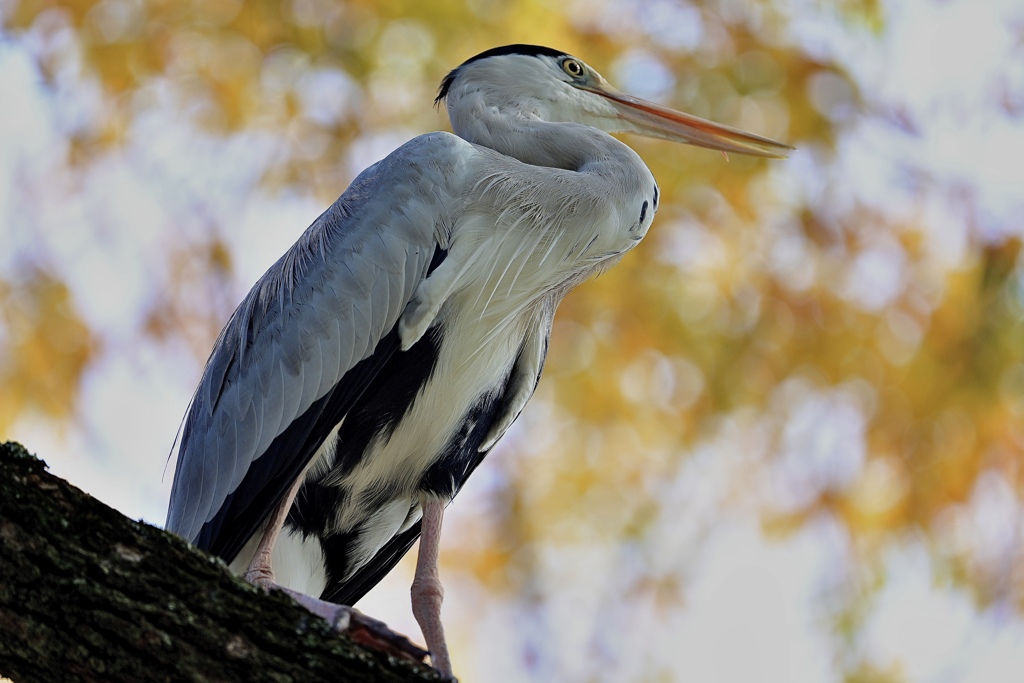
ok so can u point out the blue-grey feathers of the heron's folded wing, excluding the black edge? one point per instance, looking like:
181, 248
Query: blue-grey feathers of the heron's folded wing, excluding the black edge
319, 311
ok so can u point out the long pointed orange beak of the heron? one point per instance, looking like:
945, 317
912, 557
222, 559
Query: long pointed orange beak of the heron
647, 118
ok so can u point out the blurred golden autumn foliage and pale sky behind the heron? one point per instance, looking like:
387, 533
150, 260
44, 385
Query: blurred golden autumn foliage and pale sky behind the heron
830, 346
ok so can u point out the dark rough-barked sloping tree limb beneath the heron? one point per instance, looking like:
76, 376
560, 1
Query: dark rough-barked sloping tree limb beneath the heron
88, 594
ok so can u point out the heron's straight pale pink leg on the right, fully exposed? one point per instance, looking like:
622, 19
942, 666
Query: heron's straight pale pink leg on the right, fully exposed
428, 590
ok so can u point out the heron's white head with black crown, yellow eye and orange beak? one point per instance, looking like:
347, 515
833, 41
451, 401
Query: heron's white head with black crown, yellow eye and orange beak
541, 82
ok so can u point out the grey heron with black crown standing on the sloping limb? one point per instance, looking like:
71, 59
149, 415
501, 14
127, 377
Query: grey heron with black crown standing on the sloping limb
373, 367
